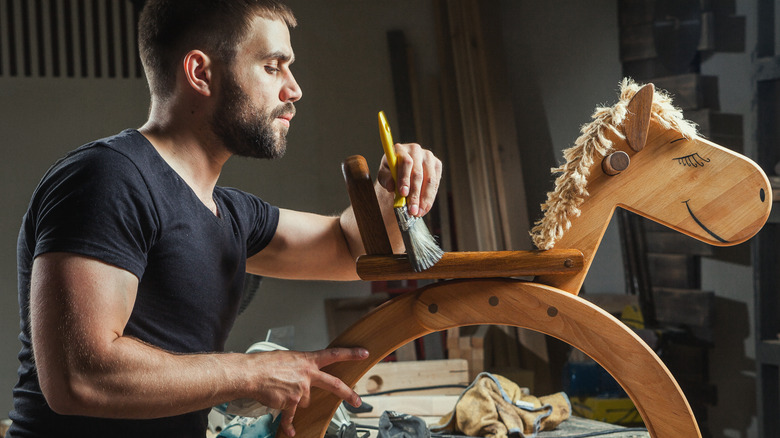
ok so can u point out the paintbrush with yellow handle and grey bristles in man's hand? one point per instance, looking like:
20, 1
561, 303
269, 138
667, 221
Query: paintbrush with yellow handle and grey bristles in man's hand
421, 247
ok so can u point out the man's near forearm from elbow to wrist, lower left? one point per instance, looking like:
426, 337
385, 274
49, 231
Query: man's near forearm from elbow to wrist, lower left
130, 379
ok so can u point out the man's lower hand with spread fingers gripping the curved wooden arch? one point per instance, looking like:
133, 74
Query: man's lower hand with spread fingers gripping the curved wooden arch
291, 374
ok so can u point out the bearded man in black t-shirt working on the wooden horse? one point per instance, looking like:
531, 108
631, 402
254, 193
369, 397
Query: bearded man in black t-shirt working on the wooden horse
131, 259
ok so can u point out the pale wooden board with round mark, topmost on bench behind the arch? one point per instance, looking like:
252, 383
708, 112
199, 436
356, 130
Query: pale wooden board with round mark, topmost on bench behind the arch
392, 376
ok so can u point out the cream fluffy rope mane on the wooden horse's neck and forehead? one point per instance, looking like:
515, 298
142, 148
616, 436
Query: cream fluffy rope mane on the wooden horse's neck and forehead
570, 191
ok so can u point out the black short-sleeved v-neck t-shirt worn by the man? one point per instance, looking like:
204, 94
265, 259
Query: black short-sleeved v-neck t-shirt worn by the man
117, 200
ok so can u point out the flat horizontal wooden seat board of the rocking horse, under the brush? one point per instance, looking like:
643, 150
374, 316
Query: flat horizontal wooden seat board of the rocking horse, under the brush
475, 264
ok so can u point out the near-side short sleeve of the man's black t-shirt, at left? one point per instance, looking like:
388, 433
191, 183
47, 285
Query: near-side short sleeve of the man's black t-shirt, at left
95, 202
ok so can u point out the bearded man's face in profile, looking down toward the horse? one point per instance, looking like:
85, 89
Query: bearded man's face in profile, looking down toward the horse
255, 101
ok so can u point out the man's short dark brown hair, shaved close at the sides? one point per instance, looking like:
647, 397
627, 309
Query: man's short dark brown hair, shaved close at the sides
168, 29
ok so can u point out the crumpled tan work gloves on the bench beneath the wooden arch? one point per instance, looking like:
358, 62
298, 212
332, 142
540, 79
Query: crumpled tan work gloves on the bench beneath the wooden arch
495, 407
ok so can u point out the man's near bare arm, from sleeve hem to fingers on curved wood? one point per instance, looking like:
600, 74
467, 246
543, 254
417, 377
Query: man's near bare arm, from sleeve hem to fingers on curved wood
87, 366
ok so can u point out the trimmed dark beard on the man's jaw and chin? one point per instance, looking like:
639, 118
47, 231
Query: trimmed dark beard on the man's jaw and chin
245, 129
